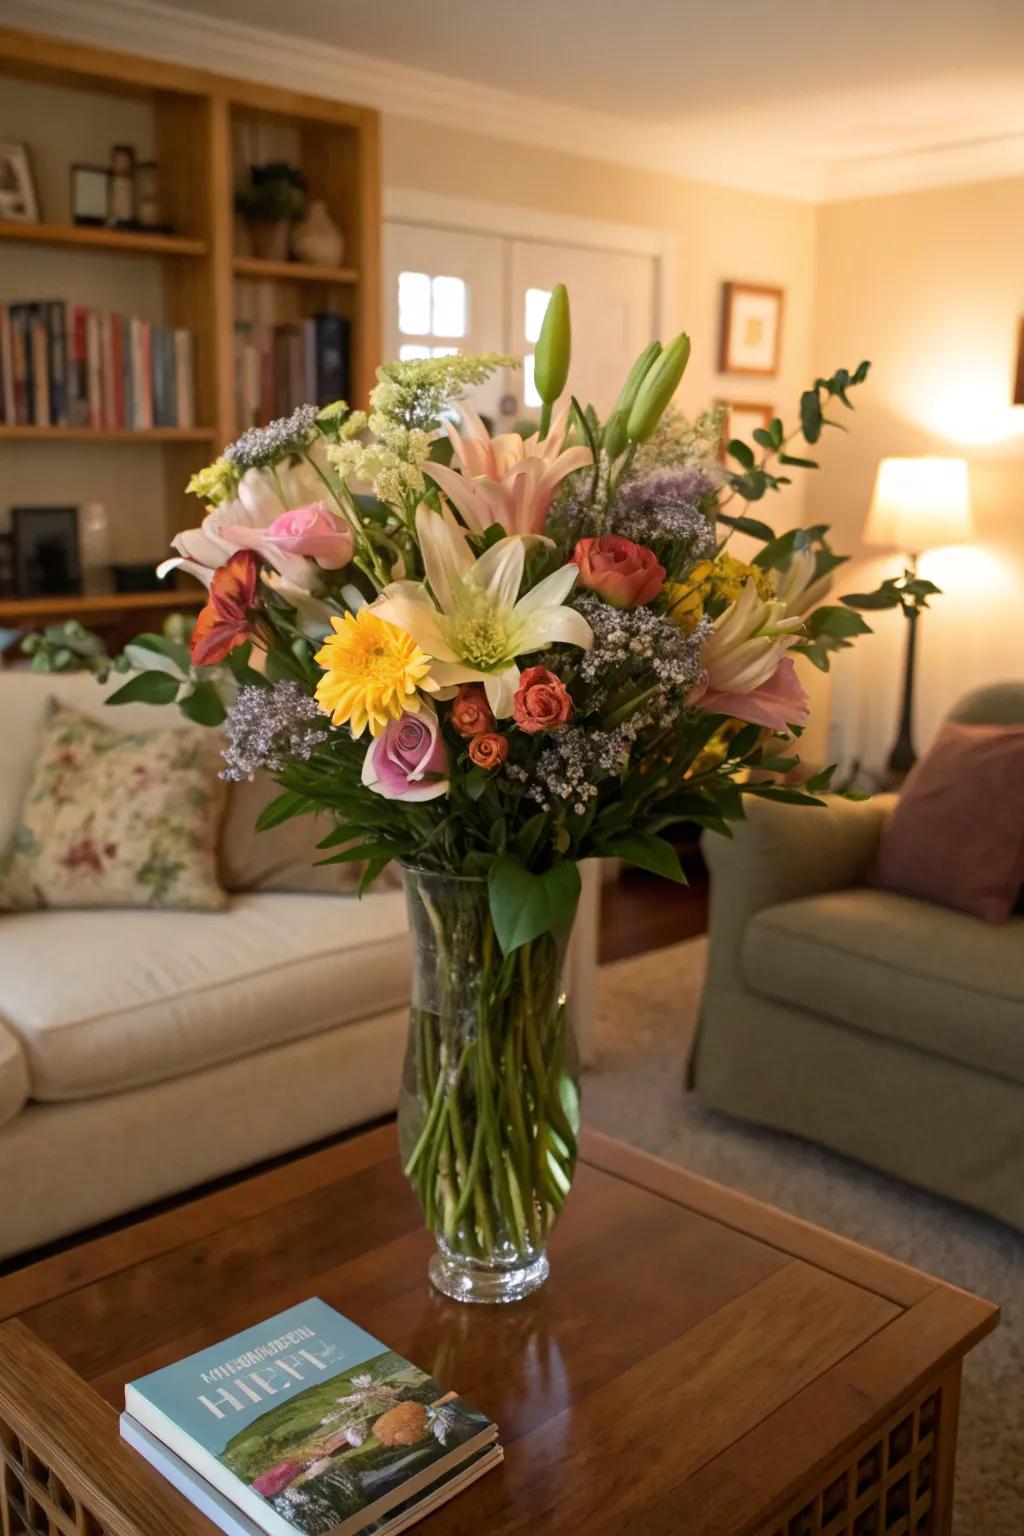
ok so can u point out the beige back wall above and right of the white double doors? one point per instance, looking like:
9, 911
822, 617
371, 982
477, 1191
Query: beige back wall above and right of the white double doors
719, 234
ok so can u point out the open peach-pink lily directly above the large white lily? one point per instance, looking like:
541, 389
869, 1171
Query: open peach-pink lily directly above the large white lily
506, 480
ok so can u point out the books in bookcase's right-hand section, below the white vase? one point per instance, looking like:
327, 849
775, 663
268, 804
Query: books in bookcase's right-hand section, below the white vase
282, 366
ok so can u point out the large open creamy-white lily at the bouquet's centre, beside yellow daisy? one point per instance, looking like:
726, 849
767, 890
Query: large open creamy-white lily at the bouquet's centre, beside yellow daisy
474, 626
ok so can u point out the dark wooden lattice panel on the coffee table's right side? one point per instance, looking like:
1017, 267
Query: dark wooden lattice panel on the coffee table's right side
896, 1483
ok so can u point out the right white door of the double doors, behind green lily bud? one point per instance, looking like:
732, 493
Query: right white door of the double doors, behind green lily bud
612, 300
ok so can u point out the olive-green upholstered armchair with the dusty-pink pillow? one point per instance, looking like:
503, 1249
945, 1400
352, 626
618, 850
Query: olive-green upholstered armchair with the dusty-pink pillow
884, 1027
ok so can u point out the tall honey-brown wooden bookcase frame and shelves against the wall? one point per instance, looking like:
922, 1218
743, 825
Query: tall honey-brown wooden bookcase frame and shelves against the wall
203, 279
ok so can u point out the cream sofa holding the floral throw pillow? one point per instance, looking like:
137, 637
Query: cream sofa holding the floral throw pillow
144, 1053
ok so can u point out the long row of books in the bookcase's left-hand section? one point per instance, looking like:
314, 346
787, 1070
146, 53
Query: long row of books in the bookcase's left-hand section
70, 366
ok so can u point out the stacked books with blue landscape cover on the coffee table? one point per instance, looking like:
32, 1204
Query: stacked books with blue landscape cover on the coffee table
308, 1426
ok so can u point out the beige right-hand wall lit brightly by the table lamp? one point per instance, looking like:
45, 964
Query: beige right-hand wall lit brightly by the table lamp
930, 286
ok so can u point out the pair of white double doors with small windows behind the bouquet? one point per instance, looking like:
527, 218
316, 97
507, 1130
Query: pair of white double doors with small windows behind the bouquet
449, 291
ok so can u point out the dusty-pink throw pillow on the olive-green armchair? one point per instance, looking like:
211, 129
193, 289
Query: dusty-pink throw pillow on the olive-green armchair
957, 835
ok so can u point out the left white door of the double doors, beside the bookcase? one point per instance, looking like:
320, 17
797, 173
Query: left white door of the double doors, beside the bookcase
444, 291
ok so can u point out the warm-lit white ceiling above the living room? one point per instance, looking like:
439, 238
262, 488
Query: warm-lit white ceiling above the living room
807, 98
